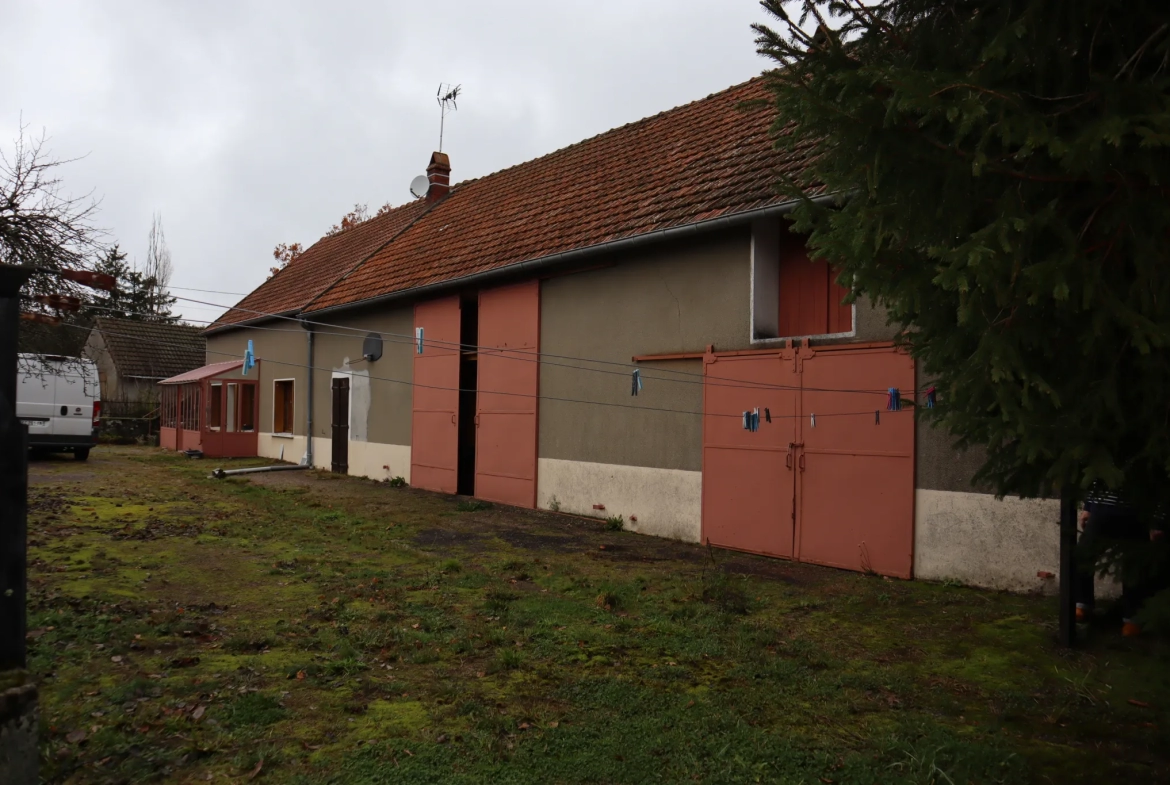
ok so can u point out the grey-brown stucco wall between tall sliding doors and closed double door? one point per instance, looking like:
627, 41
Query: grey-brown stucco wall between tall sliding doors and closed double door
677, 298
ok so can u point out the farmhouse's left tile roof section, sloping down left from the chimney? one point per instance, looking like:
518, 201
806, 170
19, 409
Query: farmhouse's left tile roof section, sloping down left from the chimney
321, 265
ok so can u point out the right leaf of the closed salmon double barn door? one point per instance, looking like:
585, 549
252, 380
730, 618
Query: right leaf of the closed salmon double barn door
856, 486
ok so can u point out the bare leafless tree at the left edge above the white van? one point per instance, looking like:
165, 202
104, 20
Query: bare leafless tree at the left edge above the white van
44, 228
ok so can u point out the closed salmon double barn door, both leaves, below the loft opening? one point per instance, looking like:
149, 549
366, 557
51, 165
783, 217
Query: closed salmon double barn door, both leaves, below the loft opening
831, 479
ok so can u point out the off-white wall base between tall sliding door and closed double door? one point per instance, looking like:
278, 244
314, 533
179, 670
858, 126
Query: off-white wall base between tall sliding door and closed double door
666, 502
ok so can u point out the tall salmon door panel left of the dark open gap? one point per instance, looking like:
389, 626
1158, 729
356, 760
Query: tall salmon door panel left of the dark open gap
435, 424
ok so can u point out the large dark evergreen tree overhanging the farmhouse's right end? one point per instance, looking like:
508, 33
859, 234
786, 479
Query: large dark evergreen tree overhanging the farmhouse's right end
1003, 169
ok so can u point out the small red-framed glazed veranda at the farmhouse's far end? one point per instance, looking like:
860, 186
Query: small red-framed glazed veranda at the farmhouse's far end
214, 410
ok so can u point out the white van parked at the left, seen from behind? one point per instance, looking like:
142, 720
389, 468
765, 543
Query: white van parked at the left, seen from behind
59, 400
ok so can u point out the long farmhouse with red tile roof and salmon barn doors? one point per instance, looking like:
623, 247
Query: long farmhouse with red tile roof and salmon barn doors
628, 328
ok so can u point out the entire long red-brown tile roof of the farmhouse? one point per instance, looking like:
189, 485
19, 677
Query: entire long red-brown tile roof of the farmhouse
704, 161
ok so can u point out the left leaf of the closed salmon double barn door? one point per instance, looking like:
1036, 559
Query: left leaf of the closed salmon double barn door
748, 477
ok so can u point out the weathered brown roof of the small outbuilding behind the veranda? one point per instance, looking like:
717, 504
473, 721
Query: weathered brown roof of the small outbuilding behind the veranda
152, 350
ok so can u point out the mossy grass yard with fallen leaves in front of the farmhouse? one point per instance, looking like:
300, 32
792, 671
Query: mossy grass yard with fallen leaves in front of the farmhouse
299, 628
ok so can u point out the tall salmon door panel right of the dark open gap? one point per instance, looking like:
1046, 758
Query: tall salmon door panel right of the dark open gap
510, 338
